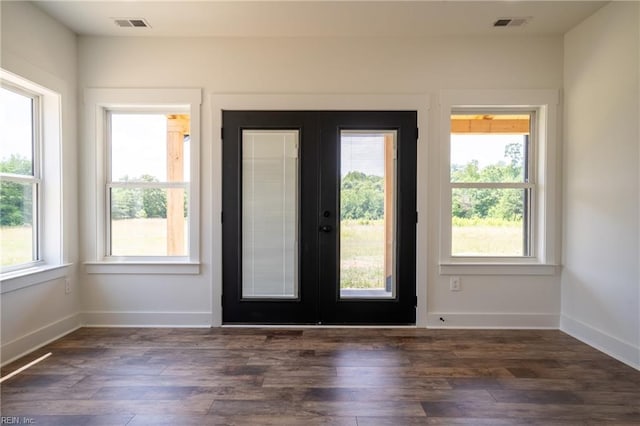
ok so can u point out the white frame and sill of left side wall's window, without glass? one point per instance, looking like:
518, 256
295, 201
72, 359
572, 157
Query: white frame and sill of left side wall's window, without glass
49, 263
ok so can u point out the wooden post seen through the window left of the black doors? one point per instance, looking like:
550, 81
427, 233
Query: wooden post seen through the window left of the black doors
177, 128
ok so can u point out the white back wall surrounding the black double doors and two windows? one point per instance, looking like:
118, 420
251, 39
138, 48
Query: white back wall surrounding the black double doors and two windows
316, 65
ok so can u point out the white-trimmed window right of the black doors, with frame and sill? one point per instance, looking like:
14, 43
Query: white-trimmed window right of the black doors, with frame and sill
499, 196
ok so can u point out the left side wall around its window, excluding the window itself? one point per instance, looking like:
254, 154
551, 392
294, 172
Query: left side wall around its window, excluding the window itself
39, 49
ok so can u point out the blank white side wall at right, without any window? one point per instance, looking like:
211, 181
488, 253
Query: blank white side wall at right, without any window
600, 280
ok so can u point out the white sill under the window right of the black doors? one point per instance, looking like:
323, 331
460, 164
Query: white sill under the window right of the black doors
497, 269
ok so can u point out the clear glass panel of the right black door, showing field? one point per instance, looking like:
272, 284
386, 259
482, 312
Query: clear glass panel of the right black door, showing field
367, 200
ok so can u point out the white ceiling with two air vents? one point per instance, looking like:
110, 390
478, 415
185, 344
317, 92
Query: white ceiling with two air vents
267, 18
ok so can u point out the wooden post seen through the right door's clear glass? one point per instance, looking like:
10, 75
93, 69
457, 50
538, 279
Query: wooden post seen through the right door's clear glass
388, 208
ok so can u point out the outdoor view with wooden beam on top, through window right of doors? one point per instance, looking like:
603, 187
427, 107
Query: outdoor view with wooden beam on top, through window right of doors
491, 185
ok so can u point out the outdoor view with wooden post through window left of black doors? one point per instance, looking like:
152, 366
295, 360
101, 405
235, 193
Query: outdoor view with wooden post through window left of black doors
148, 184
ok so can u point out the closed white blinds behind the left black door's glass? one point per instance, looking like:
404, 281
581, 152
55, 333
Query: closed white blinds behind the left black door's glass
270, 213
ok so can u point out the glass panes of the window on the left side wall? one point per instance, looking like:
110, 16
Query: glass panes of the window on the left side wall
20, 182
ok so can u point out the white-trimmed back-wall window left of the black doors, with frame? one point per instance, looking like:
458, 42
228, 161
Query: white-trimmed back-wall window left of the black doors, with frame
147, 179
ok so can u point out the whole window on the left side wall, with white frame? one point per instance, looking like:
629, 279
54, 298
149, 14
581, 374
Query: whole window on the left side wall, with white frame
32, 247
